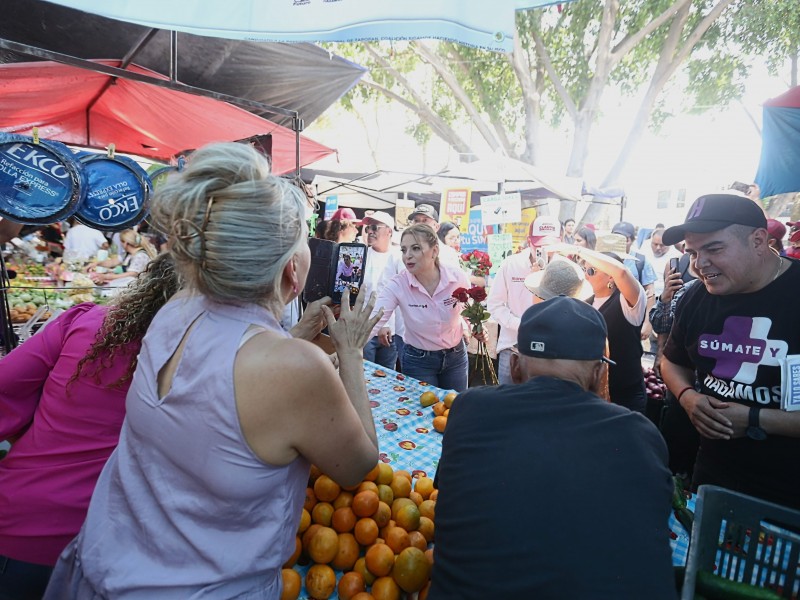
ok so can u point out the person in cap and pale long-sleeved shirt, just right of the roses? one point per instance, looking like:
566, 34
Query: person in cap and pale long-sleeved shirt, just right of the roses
508, 296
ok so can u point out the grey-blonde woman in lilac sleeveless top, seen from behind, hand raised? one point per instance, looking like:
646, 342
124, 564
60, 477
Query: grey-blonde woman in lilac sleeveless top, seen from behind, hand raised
226, 412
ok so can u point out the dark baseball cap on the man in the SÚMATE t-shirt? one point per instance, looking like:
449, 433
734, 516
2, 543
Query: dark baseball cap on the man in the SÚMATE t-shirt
713, 212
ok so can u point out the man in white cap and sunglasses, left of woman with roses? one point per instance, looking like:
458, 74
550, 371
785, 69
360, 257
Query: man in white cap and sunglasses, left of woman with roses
383, 262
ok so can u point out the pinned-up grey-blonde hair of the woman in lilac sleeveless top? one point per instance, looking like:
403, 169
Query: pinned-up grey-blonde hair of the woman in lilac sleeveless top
232, 225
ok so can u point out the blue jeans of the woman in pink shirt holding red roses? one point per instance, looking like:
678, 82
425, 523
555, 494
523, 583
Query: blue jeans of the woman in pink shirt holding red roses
446, 369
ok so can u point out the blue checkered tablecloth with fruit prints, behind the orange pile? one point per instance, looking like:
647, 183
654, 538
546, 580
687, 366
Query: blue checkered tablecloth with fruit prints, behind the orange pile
406, 437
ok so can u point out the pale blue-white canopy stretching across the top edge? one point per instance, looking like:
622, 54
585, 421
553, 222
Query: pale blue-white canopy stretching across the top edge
481, 23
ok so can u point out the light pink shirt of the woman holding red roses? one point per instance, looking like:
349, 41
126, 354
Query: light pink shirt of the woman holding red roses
432, 322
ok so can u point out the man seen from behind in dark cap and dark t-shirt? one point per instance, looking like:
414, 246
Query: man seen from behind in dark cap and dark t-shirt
531, 470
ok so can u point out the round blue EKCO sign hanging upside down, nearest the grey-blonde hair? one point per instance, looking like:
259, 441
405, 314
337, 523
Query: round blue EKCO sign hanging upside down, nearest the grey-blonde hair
118, 195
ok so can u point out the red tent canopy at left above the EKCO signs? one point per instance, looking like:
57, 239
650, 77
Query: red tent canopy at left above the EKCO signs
138, 118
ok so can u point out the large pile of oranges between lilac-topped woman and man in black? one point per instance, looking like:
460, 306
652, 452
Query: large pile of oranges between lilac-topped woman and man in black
378, 533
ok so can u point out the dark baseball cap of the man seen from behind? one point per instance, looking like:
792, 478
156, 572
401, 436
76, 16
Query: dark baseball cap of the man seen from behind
564, 328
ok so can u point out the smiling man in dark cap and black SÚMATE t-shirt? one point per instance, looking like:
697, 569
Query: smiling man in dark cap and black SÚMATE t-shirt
729, 338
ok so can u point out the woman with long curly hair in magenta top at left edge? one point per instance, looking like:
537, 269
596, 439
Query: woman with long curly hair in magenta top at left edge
62, 399
